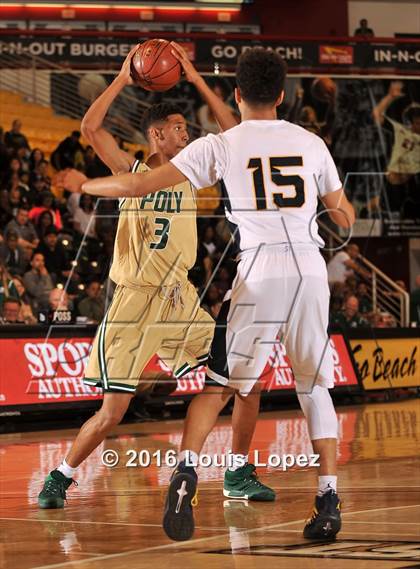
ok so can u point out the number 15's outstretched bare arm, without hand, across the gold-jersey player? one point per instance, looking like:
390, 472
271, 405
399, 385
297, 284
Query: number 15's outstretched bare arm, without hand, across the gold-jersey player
135, 185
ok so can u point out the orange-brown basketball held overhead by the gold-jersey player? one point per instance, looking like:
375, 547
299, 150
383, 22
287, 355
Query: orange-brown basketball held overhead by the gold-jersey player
154, 67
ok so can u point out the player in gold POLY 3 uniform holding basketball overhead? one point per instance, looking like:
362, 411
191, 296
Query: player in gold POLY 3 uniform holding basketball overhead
154, 309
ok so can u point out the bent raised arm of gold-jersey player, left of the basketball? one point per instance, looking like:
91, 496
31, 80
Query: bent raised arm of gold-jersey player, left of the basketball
92, 128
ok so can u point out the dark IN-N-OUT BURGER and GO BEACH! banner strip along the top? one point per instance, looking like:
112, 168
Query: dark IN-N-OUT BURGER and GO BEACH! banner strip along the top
108, 52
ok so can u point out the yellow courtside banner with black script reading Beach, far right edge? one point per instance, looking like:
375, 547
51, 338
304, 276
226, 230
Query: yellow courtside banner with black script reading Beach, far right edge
388, 361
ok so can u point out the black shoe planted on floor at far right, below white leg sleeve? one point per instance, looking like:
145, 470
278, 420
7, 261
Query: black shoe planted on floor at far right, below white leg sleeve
325, 522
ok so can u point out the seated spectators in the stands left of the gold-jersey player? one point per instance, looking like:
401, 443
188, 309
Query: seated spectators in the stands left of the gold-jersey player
52, 247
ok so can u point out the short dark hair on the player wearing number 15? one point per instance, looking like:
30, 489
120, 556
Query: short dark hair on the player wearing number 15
260, 76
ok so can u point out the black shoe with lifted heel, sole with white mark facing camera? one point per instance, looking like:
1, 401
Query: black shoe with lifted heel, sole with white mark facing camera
178, 519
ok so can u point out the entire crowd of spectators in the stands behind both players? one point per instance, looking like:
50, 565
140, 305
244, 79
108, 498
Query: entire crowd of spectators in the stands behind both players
55, 243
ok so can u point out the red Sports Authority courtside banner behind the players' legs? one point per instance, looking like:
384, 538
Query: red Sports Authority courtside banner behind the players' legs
37, 371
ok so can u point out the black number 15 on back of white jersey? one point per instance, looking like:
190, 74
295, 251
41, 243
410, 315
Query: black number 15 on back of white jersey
280, 180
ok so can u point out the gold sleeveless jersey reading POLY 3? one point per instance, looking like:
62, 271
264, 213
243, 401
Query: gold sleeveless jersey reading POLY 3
156, 240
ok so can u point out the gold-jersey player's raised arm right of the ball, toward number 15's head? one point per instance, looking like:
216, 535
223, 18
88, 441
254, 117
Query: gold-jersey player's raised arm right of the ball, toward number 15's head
222, 112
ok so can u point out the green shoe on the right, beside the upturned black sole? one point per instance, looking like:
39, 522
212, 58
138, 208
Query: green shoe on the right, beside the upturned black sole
243, 484
